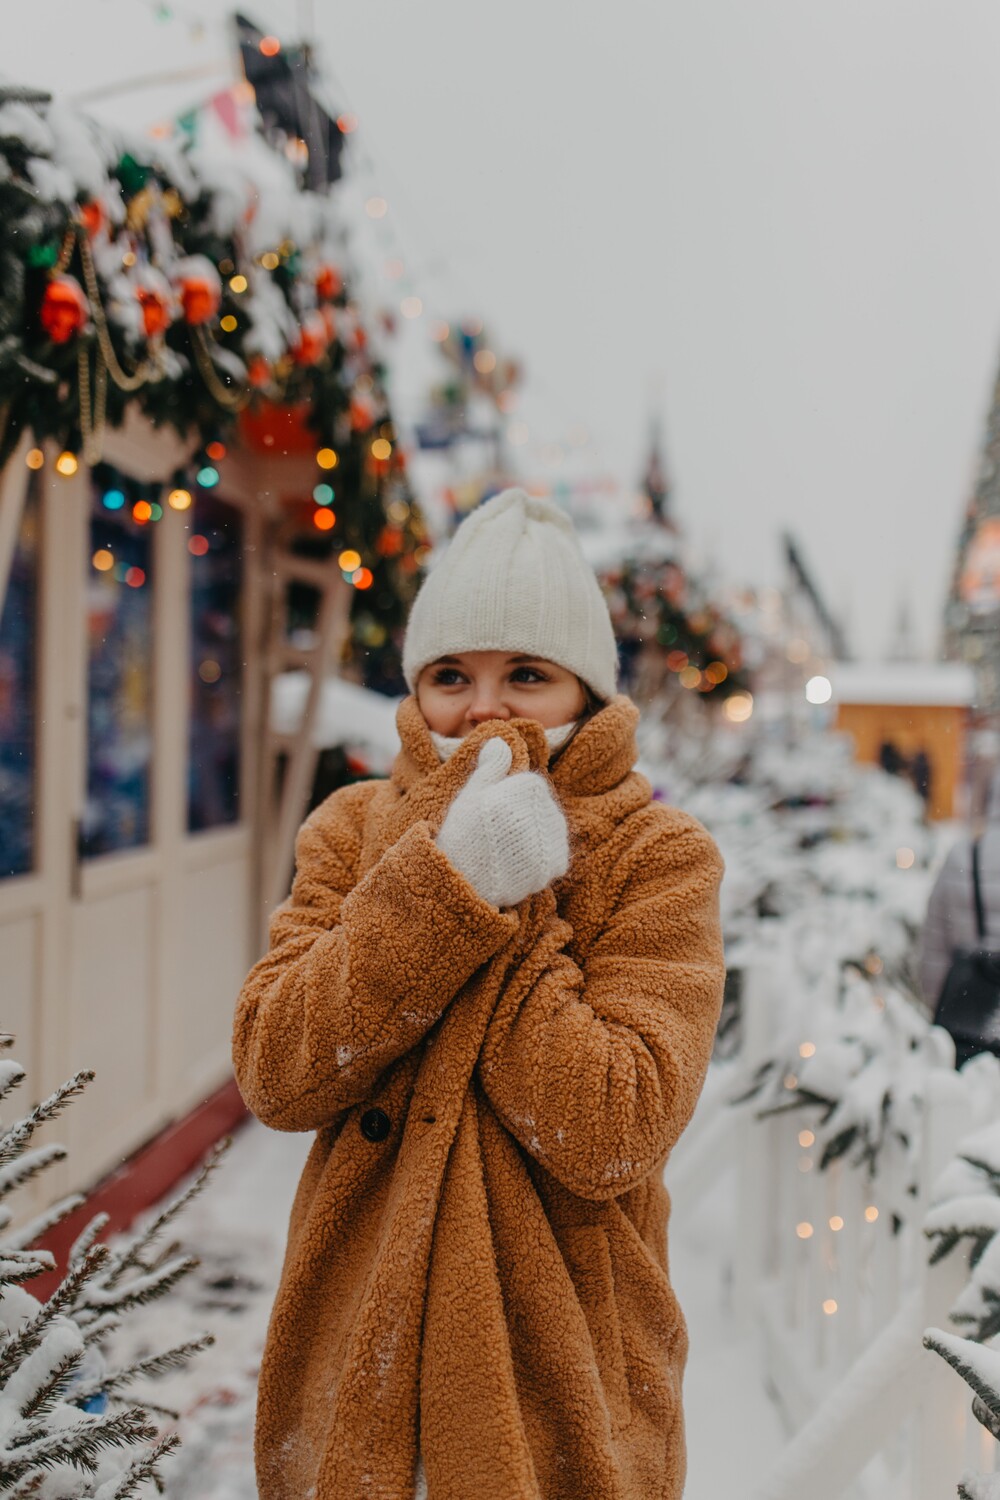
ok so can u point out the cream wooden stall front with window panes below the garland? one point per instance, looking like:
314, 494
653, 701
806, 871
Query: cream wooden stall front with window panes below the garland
125, 943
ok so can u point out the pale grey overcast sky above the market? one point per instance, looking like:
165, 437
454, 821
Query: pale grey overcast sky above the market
777, 223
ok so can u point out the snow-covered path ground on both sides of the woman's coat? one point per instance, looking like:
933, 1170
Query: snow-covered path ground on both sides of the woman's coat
238, 1228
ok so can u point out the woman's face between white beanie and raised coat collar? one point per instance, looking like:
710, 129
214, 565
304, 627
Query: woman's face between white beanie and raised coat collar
460, 692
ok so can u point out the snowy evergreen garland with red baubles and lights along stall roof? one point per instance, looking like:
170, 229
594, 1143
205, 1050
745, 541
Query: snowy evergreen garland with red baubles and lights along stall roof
142, 280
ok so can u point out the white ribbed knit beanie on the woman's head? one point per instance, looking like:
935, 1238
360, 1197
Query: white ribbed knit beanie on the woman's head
515, 580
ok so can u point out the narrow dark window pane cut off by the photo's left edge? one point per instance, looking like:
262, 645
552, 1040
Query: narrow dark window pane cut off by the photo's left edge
19, 686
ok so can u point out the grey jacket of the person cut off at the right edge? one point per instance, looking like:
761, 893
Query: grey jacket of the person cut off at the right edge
951, 911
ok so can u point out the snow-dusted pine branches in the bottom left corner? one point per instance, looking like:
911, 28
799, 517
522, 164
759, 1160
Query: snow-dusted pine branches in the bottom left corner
68, 1430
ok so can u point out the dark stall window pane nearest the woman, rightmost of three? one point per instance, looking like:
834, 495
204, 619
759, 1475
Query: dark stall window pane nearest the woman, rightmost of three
217, 664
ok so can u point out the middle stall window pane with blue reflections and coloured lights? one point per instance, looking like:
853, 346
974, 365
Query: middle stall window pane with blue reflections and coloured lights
119, 668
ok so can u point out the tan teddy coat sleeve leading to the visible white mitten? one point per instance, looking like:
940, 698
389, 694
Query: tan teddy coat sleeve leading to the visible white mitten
356, 973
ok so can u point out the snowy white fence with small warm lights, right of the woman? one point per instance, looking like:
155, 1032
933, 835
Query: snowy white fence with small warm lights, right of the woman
839, 1295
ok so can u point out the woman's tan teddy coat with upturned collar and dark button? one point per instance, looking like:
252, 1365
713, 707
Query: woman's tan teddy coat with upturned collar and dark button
488, 1283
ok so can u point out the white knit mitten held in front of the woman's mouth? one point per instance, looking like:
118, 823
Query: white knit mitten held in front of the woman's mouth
504, 833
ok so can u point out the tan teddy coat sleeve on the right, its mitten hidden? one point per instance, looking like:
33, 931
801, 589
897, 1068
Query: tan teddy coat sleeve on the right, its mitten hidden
597, 1070
